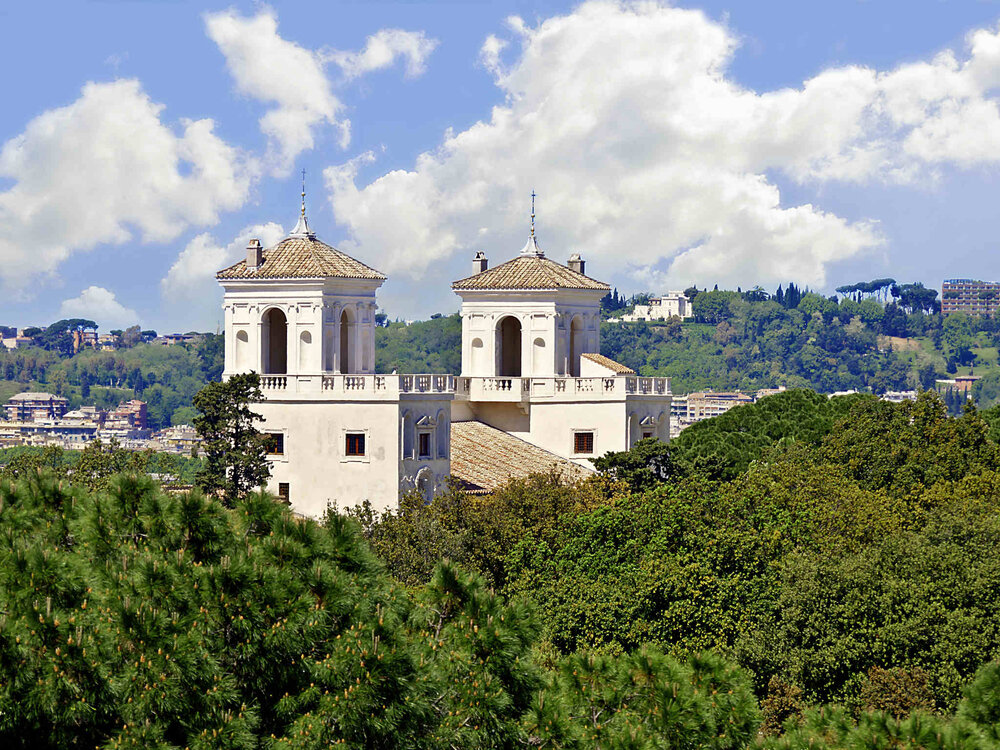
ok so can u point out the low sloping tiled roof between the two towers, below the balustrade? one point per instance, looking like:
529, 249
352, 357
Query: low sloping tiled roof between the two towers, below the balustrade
484, 458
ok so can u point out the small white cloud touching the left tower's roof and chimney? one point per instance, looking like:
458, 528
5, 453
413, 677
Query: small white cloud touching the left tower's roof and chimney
192, 276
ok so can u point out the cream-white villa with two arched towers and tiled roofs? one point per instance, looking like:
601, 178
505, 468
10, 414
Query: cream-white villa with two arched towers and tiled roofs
534, 392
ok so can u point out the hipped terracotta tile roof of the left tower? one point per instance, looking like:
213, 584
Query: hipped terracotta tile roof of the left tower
303, 258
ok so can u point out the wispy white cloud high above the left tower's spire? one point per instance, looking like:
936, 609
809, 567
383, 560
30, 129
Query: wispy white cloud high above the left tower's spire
272, 69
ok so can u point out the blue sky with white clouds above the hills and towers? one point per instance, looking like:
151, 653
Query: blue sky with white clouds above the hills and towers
142, 143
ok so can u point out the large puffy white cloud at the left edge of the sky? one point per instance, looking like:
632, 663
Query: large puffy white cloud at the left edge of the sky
106, 169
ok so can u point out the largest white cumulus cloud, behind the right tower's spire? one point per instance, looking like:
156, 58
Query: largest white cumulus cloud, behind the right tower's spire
647, 153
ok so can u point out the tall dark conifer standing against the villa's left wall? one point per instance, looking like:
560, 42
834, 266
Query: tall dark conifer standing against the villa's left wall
235, 451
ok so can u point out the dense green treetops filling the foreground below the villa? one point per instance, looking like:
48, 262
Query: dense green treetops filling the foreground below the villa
831, 582
